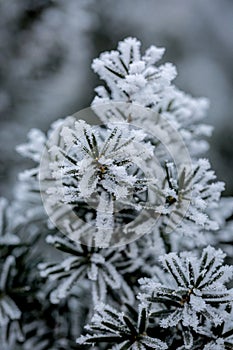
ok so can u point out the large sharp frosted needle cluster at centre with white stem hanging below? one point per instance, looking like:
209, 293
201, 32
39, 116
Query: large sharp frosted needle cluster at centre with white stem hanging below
102, 169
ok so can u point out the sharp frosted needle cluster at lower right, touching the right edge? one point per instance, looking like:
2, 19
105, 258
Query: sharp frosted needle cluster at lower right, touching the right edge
194, 288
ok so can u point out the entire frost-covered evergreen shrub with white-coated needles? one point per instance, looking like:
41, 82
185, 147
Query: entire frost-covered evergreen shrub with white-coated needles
118, 238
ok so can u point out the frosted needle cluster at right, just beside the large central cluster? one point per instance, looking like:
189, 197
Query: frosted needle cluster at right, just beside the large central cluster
188, 196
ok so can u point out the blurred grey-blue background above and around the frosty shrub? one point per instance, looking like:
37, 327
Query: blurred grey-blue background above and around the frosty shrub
47, 46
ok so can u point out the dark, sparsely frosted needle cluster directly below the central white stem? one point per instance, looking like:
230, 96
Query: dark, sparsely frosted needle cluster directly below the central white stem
103, 268
